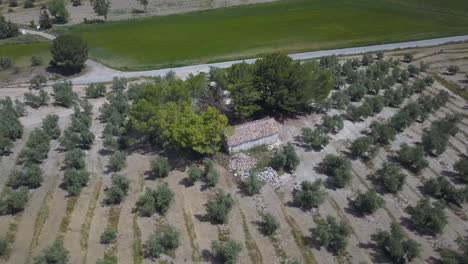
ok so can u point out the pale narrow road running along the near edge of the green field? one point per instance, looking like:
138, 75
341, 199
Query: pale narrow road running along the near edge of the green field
97, 72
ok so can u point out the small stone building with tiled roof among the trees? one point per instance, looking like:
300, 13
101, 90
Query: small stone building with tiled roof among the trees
251, 134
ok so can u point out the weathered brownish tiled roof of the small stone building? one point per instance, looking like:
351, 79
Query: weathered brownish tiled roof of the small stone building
252, 131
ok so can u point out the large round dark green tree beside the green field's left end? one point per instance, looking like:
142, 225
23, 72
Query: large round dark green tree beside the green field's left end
69, 52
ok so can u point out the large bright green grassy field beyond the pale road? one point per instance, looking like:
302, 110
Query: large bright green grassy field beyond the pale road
247, 31
